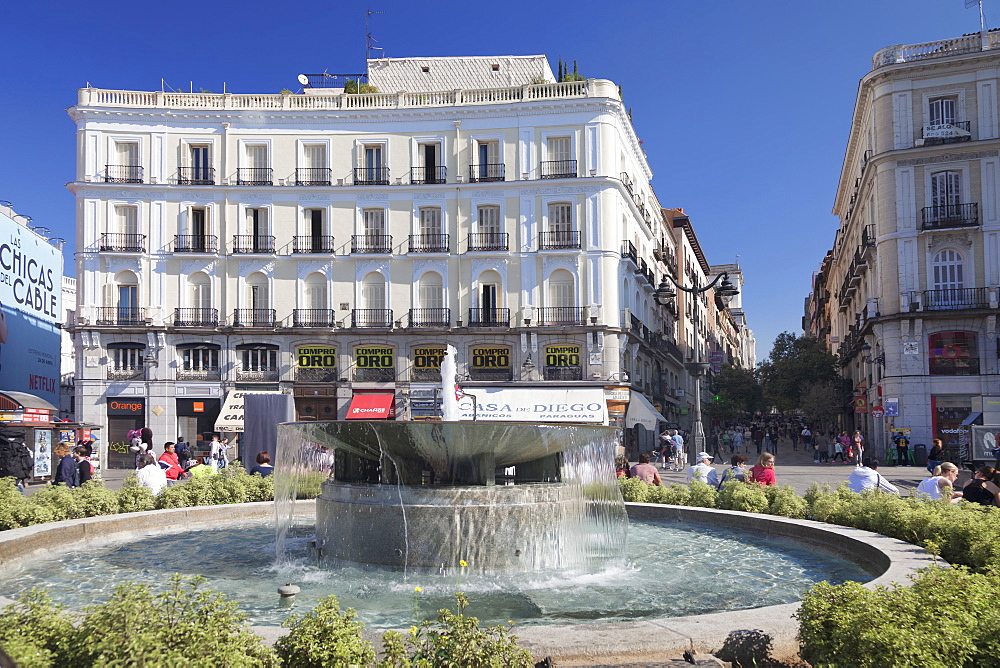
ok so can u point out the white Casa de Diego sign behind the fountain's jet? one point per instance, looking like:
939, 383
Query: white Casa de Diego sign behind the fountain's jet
533, 404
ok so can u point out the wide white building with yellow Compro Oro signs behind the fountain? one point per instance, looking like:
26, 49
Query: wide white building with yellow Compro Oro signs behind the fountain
330, 245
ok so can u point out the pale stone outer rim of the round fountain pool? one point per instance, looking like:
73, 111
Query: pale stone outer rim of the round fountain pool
894, 562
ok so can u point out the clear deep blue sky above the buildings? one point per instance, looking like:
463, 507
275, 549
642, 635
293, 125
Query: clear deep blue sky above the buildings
743, 107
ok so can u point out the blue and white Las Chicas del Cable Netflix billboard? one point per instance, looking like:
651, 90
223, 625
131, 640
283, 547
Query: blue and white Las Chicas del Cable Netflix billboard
30, 290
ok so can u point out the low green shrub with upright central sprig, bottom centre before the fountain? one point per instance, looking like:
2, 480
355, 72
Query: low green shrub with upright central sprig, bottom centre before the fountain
455, 640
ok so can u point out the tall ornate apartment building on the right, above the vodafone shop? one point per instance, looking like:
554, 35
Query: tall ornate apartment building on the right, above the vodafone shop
908, 294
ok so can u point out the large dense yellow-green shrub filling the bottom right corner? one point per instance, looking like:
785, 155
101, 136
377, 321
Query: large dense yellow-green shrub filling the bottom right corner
948, 617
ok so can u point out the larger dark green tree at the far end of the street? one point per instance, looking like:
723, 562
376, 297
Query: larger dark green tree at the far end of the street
801, 373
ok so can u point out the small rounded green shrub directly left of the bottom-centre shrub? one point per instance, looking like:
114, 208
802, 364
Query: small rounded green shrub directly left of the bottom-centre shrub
325, 637
